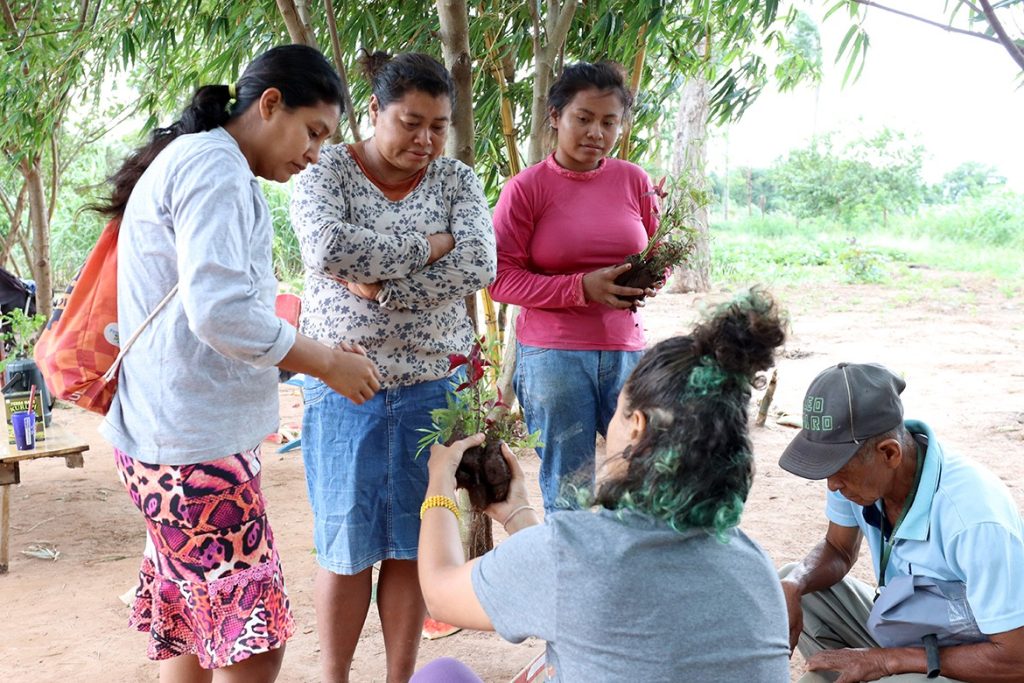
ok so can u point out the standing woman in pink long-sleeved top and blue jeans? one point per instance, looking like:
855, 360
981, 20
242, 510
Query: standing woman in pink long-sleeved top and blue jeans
564, 229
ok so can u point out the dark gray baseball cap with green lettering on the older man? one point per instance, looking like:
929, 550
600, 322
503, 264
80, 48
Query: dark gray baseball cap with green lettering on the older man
845, 406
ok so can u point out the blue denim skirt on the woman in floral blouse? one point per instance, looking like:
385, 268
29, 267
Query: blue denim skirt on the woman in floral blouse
365, 481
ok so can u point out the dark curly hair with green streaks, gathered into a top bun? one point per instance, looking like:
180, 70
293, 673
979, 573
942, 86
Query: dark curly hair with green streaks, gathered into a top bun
694, 465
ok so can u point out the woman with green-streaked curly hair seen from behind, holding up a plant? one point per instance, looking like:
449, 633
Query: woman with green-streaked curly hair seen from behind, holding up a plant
655, 582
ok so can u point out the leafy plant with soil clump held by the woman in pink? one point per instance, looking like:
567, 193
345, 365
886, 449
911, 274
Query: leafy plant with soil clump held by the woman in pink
672, 244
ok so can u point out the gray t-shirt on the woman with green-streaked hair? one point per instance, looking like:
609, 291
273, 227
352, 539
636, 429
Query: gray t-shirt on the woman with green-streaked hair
632, 601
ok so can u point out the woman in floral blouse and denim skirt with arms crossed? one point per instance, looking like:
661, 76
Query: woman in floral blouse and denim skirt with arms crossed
394, 237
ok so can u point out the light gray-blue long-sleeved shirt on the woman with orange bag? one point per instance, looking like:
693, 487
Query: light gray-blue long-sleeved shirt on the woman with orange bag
200, 383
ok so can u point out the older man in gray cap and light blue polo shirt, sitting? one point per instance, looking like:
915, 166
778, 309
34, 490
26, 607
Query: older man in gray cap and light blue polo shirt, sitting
946, 537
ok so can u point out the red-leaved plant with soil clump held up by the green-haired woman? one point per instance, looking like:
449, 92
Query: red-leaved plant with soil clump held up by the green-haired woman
477, 406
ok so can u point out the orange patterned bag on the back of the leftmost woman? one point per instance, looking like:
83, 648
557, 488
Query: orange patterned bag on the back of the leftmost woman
78, 353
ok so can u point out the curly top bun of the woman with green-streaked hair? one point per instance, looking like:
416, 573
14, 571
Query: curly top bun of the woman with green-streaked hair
743, 334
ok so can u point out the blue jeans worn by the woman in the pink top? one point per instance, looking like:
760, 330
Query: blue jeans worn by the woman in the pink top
571, 398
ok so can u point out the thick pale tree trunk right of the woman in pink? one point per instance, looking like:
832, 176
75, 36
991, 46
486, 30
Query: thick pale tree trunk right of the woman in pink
690, 158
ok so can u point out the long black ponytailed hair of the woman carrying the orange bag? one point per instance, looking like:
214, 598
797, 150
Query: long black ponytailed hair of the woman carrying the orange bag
303, 74
